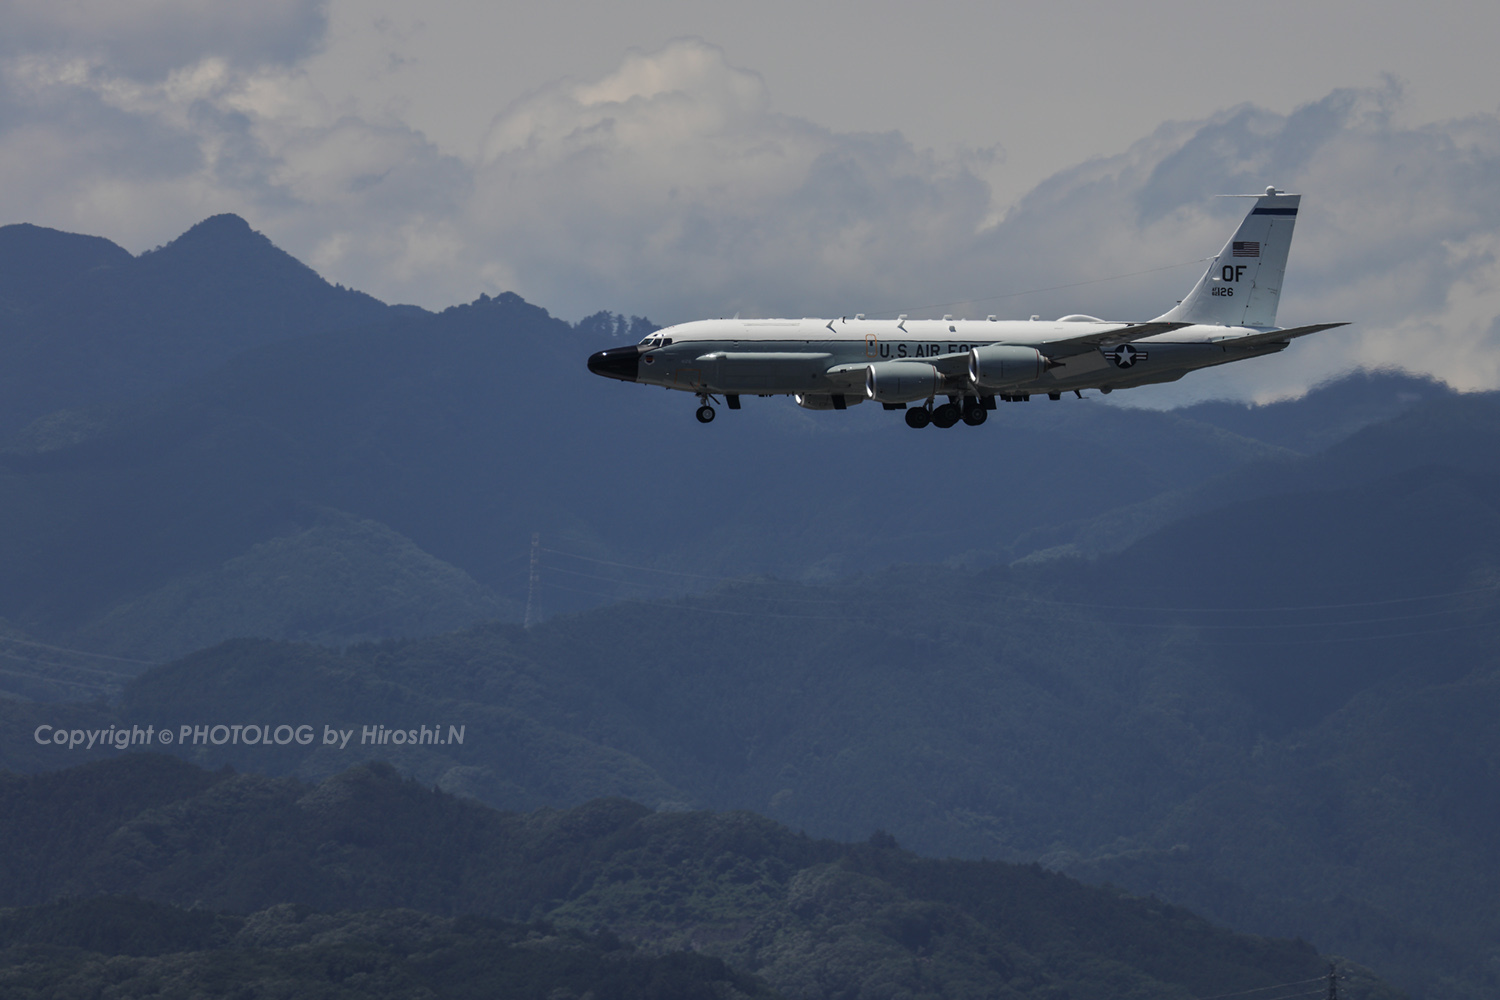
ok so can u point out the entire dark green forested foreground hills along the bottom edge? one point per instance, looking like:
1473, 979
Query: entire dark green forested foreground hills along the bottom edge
811, 918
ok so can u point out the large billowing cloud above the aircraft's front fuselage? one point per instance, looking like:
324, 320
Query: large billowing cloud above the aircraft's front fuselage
673, 181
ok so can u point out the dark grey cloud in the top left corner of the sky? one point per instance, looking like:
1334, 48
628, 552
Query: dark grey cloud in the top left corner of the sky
148, 40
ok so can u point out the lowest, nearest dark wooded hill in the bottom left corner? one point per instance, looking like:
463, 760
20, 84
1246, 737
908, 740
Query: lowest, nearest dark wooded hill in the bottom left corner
128, 948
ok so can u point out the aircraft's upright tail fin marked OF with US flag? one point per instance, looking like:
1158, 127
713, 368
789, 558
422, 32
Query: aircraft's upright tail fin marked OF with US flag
1243, 286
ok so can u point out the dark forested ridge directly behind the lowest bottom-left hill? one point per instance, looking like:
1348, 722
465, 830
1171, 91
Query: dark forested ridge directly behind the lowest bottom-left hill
808, 917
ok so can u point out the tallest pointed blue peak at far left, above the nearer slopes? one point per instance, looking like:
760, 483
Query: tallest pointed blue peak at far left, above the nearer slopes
86, 323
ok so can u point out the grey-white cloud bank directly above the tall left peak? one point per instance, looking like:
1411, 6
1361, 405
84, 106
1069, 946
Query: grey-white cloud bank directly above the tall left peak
143, 161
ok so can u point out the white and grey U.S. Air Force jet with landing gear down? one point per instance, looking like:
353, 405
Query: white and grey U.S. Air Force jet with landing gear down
835, 364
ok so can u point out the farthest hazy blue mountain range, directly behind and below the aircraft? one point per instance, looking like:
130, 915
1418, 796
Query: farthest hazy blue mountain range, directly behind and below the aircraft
388, 478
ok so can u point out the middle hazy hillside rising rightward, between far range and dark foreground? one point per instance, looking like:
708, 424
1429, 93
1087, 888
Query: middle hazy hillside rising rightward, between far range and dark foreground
1294, 744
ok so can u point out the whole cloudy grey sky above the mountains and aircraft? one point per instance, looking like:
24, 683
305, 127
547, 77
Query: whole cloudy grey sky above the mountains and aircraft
685, 160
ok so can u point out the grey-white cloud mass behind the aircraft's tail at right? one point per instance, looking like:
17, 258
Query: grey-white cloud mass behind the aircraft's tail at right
1399, 230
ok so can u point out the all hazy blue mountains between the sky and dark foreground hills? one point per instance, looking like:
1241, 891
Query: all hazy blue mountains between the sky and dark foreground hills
1241, 657
